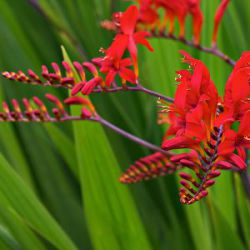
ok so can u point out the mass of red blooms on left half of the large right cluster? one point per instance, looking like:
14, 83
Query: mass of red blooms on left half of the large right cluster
192, 114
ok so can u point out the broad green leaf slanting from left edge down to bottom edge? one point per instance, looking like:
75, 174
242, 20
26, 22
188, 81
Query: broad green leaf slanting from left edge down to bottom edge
28, 207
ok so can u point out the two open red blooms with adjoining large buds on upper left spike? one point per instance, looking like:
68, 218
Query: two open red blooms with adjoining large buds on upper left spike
114, 63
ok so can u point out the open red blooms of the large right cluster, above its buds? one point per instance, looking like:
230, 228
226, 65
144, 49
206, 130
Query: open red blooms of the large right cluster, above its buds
197, 110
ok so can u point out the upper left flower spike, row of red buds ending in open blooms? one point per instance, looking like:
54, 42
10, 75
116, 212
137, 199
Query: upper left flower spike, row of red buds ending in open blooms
103, 69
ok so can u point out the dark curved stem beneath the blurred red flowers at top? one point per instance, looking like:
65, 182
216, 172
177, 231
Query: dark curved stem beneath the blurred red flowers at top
214, 50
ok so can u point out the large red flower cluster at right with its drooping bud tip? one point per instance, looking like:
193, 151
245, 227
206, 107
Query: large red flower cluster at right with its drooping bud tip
202, 121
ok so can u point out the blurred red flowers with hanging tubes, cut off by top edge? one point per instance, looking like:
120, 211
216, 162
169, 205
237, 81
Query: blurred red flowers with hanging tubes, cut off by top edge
177, 9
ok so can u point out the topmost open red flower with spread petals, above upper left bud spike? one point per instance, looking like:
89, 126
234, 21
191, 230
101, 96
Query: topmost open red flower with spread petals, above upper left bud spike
128, 38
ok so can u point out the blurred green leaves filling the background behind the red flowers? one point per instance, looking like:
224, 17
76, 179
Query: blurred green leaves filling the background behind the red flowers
59, 184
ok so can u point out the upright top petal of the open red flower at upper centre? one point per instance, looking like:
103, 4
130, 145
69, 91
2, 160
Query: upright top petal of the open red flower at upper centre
129, 19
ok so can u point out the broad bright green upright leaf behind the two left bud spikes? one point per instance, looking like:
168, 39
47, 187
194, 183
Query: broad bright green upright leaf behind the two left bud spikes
112, 218
